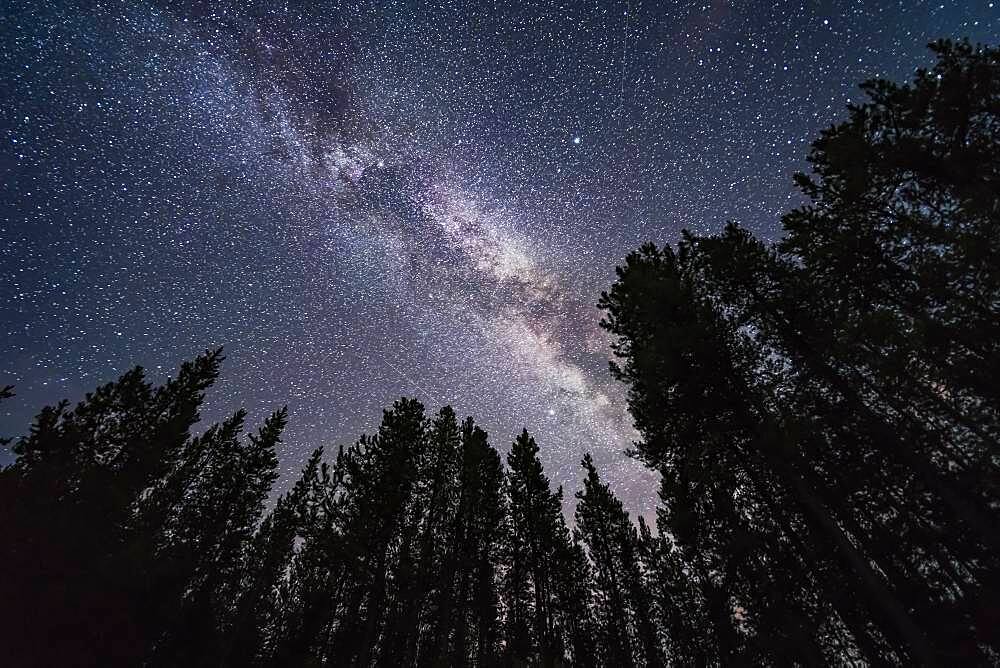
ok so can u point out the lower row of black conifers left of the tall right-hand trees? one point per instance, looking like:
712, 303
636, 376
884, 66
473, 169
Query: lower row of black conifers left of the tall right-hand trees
131, 542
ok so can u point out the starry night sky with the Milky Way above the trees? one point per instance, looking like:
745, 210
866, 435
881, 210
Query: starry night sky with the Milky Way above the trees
364, 200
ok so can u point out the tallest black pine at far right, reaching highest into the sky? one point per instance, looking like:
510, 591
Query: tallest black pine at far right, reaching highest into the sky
903, 211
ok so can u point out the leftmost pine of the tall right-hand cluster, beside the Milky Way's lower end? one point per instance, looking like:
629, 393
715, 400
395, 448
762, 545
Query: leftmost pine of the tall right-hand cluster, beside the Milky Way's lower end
701, 399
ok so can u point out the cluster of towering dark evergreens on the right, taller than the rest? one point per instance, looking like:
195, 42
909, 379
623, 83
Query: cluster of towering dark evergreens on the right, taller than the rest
830, 380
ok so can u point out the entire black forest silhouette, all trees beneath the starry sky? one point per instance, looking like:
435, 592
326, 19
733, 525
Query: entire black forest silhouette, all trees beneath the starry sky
823, 412
